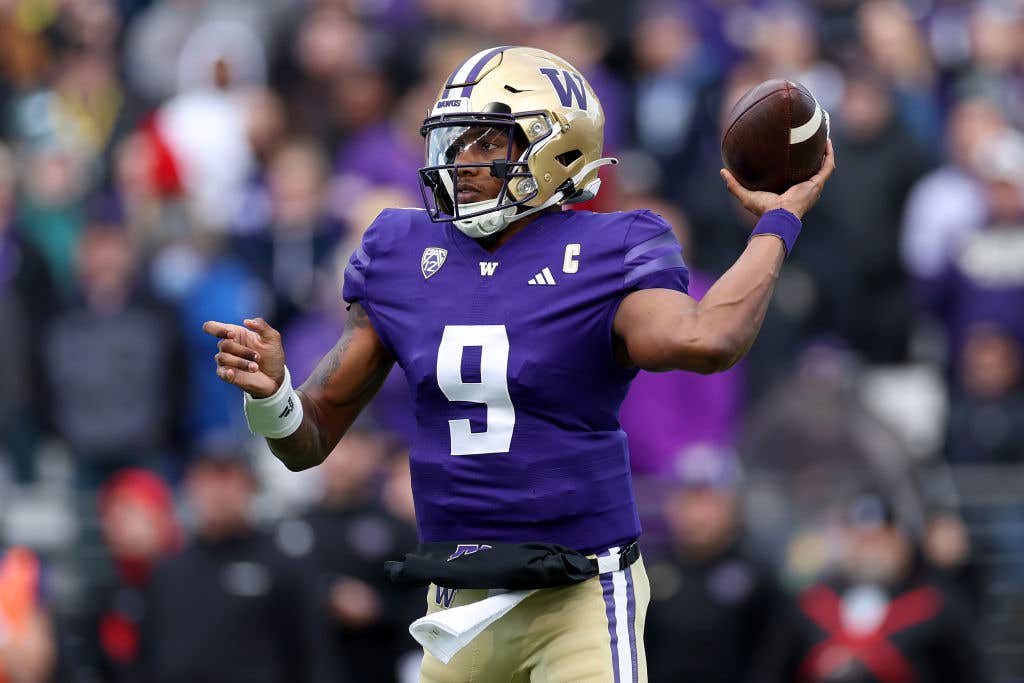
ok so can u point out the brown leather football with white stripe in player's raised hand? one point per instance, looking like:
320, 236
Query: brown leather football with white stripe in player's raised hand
776, 137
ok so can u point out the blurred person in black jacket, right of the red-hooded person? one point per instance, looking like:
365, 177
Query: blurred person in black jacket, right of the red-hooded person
234, 607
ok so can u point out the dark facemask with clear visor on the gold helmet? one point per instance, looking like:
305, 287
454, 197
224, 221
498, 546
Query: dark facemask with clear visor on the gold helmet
447, 138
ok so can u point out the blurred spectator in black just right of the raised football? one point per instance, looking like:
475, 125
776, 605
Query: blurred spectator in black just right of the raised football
871, 291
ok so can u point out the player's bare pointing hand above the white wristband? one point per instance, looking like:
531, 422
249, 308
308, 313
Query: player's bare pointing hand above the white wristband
251, 357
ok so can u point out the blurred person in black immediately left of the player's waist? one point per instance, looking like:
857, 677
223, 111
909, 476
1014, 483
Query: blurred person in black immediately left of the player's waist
352, 537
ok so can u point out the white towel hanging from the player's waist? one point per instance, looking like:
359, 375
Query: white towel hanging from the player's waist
446, 632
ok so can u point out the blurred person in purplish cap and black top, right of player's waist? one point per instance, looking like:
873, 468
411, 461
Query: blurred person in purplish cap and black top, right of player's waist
712, 600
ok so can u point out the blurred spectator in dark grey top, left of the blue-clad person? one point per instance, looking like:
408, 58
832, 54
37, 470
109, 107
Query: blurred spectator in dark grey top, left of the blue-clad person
106, 353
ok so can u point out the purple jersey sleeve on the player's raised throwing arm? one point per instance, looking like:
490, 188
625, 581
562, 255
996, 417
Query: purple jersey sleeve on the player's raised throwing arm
654, 257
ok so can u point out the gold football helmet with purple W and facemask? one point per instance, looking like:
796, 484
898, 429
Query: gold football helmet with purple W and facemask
535, 99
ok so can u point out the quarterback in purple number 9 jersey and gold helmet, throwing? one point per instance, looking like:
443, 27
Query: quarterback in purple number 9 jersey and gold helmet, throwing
520, 327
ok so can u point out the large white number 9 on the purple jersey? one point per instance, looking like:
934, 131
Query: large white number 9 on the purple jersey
493, 390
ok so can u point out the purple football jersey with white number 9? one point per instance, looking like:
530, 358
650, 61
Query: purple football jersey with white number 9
509, 357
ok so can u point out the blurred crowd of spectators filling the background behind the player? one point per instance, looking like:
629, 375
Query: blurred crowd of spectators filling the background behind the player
168, 162
